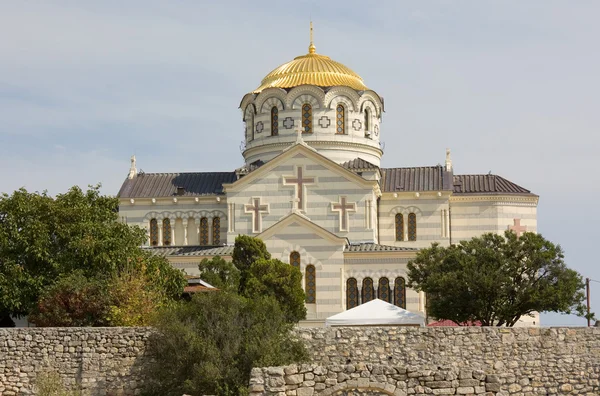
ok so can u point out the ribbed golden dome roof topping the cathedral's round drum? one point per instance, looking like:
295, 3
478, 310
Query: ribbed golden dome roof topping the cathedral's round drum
313, 69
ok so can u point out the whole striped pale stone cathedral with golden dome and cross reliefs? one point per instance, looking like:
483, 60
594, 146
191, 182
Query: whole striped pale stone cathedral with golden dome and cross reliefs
312, 188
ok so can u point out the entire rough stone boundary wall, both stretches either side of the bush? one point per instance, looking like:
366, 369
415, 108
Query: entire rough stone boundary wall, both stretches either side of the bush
344, 361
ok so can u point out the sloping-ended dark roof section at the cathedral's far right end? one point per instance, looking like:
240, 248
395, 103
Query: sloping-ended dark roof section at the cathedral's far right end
486, 184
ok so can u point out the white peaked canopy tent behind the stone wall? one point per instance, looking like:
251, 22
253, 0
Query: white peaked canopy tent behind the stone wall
376, 313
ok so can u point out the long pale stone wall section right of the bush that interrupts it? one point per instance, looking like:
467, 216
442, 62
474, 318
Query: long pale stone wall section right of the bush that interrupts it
472, 360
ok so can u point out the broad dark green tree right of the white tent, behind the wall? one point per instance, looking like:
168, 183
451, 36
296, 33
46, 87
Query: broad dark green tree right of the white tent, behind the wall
496, 279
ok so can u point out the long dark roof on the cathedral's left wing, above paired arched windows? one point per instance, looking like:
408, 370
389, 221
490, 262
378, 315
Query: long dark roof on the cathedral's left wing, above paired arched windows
154, 185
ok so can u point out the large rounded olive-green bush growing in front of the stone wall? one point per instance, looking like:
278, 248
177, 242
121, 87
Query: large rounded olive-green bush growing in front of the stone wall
210, 344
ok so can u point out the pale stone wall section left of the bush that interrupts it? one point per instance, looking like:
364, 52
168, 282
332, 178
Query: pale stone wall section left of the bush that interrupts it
103, 361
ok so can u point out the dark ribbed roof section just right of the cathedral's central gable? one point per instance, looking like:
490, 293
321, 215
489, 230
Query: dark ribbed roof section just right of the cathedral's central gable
425, 178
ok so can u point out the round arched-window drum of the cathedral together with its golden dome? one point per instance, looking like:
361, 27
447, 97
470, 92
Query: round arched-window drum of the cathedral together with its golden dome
325, 100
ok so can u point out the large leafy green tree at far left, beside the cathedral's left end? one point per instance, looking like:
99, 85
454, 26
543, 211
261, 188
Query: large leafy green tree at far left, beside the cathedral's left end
43, 238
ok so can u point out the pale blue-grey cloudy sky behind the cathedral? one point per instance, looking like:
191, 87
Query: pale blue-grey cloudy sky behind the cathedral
512, 87
